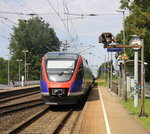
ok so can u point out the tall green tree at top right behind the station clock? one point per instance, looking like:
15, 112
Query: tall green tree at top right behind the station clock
137, 23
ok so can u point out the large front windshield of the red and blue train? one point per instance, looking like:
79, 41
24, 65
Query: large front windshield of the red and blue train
60, 70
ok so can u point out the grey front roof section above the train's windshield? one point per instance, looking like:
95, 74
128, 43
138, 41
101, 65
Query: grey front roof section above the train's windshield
61, 55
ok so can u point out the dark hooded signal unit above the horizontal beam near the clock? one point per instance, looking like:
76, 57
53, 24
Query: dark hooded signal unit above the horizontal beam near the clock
106, 38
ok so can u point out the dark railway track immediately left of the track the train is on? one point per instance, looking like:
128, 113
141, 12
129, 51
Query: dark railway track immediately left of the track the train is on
19, 106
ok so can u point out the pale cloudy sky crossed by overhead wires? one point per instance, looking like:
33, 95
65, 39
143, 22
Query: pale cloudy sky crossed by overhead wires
71, 21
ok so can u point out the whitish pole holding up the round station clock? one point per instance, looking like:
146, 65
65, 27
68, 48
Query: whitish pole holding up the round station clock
135, 78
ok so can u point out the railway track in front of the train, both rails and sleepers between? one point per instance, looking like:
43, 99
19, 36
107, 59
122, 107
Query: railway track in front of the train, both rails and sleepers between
55, 120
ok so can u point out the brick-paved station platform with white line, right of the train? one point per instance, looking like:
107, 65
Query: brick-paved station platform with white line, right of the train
103, 114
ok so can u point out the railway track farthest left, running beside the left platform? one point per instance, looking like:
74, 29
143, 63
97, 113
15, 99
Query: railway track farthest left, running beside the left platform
18, 97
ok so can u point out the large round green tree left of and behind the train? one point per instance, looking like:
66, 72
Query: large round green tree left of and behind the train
38, 38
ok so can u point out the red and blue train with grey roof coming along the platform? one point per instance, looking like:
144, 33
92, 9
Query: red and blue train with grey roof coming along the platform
65, 78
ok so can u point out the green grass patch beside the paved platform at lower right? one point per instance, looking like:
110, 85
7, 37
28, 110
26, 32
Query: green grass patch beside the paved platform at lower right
129, 105
